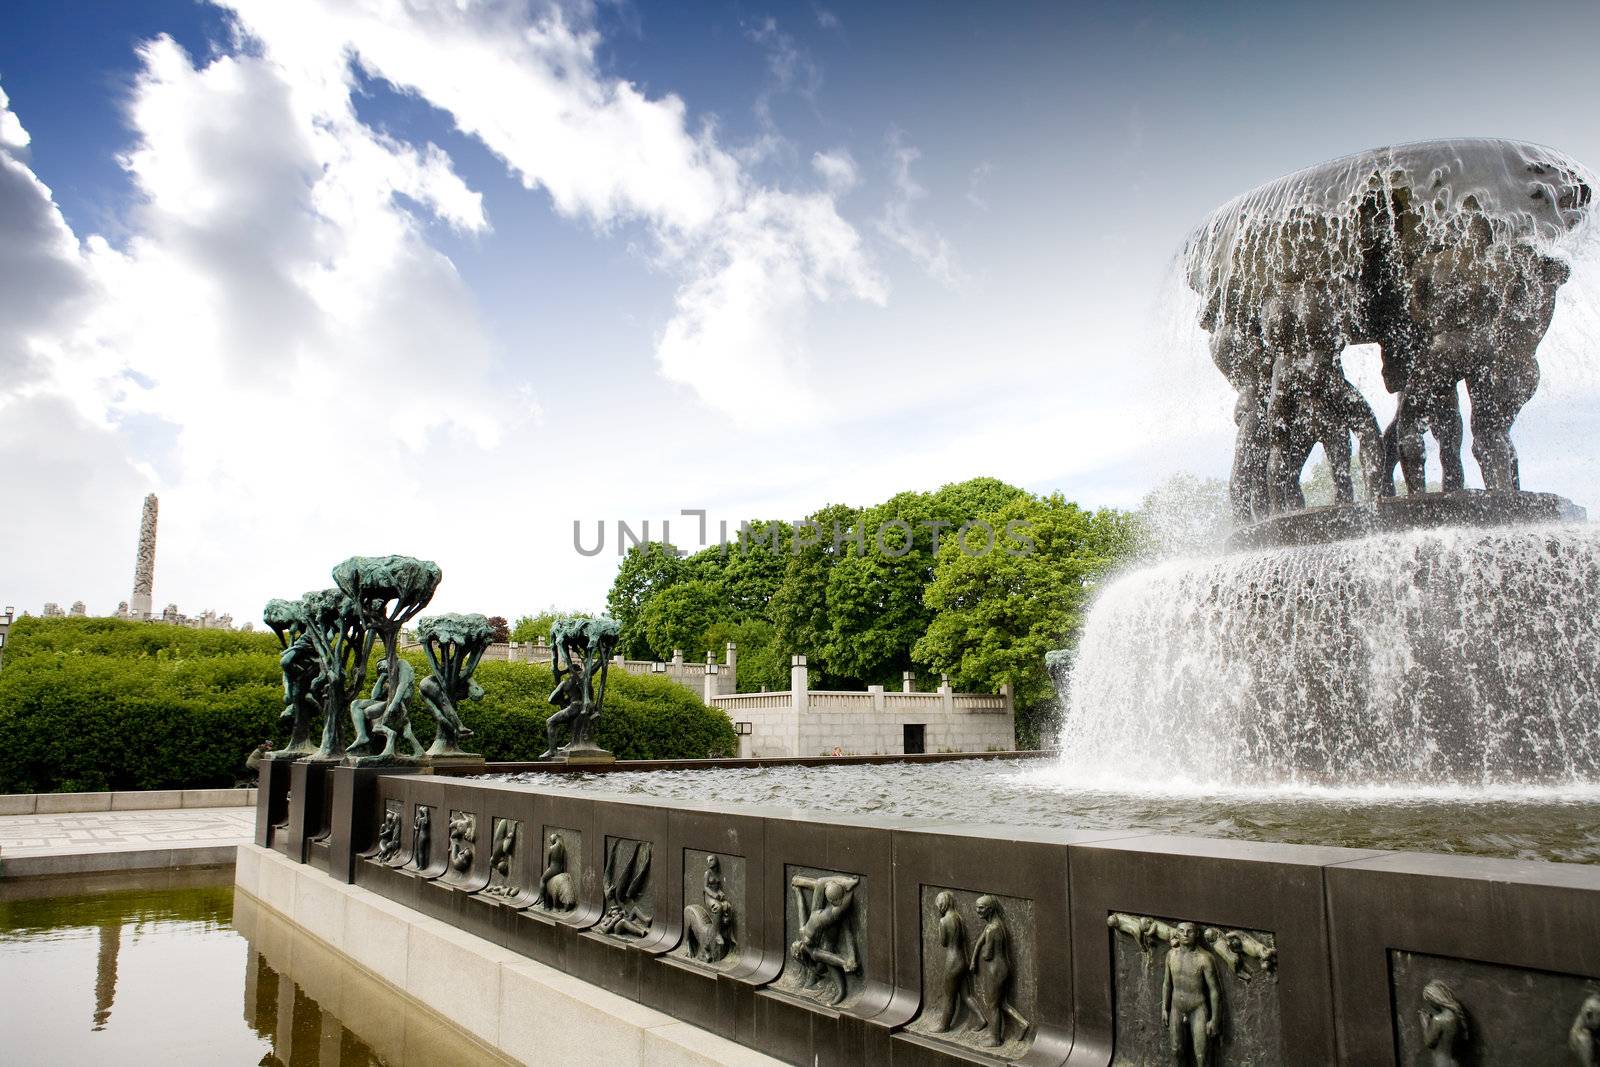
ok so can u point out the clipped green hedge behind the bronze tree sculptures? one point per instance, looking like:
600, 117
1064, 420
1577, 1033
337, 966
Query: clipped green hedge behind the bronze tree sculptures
105, 705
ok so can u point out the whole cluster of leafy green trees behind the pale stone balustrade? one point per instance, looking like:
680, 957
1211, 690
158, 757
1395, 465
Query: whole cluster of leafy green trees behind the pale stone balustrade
977, 580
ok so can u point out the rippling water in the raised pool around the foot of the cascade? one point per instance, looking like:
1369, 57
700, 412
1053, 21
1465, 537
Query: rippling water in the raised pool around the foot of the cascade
1558, 823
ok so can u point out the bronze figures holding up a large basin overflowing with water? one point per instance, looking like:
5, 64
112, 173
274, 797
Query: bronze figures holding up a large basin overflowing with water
1442, 254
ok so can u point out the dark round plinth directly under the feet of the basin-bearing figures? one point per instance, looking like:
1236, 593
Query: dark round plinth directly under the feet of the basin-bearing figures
1425, 511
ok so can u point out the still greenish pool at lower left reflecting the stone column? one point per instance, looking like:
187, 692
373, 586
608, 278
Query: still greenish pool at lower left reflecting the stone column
170, 969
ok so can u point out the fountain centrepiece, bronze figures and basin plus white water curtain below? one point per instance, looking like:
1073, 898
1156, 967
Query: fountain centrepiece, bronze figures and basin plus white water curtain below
1431, 639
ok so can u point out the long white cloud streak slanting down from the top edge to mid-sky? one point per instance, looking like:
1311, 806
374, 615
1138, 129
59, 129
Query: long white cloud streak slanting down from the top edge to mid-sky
534, 94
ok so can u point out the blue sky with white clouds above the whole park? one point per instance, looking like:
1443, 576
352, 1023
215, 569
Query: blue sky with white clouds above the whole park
444, 278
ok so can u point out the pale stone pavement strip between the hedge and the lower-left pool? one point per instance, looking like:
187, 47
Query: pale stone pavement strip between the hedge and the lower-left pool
121, 841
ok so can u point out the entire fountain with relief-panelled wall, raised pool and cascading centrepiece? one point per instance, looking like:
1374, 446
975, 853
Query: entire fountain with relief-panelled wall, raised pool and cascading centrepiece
1412, 663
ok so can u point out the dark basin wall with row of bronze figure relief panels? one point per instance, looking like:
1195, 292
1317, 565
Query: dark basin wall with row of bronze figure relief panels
818, 940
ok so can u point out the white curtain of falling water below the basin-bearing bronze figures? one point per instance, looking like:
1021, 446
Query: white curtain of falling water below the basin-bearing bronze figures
1433, 658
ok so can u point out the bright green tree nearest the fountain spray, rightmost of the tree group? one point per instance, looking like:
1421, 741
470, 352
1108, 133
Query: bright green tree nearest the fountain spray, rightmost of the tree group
996, 615
